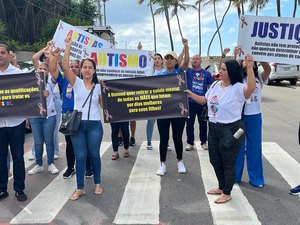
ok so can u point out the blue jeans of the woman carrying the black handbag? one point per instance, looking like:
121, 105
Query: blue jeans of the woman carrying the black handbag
88, 141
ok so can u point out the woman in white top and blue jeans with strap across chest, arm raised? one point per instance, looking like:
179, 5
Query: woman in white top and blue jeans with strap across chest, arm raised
89, 137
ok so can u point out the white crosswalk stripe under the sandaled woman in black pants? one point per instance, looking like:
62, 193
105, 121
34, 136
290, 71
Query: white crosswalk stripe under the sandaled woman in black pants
235, 212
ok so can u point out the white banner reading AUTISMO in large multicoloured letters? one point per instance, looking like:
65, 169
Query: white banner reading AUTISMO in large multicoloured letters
121, 63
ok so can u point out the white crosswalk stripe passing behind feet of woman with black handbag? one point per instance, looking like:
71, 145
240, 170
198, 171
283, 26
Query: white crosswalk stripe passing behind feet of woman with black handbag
43, 210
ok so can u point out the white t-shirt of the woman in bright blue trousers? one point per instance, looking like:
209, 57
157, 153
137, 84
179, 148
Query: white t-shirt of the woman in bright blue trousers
253, 104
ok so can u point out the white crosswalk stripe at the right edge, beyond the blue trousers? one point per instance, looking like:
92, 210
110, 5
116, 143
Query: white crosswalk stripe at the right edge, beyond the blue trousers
286, 165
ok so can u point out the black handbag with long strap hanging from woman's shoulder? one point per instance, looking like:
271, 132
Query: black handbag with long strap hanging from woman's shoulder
71, 120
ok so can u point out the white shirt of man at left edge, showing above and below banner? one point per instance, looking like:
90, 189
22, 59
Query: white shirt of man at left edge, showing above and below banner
11, 122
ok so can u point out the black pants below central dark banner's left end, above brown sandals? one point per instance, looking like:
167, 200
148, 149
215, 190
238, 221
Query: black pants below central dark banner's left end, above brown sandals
115, 127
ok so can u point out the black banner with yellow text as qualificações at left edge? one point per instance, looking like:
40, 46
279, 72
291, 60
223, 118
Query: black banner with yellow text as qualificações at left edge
22, 95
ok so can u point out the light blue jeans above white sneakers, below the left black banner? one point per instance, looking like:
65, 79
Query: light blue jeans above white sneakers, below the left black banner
42, 130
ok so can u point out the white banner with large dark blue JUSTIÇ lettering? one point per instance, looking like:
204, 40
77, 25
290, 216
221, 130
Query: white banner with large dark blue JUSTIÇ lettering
270, 39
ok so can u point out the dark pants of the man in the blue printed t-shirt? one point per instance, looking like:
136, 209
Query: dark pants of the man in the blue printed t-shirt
195, 110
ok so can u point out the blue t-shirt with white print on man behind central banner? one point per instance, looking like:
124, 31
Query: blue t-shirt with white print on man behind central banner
198, 81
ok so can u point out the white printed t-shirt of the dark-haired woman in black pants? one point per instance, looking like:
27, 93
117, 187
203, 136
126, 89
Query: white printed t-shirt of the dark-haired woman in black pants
225, 103
